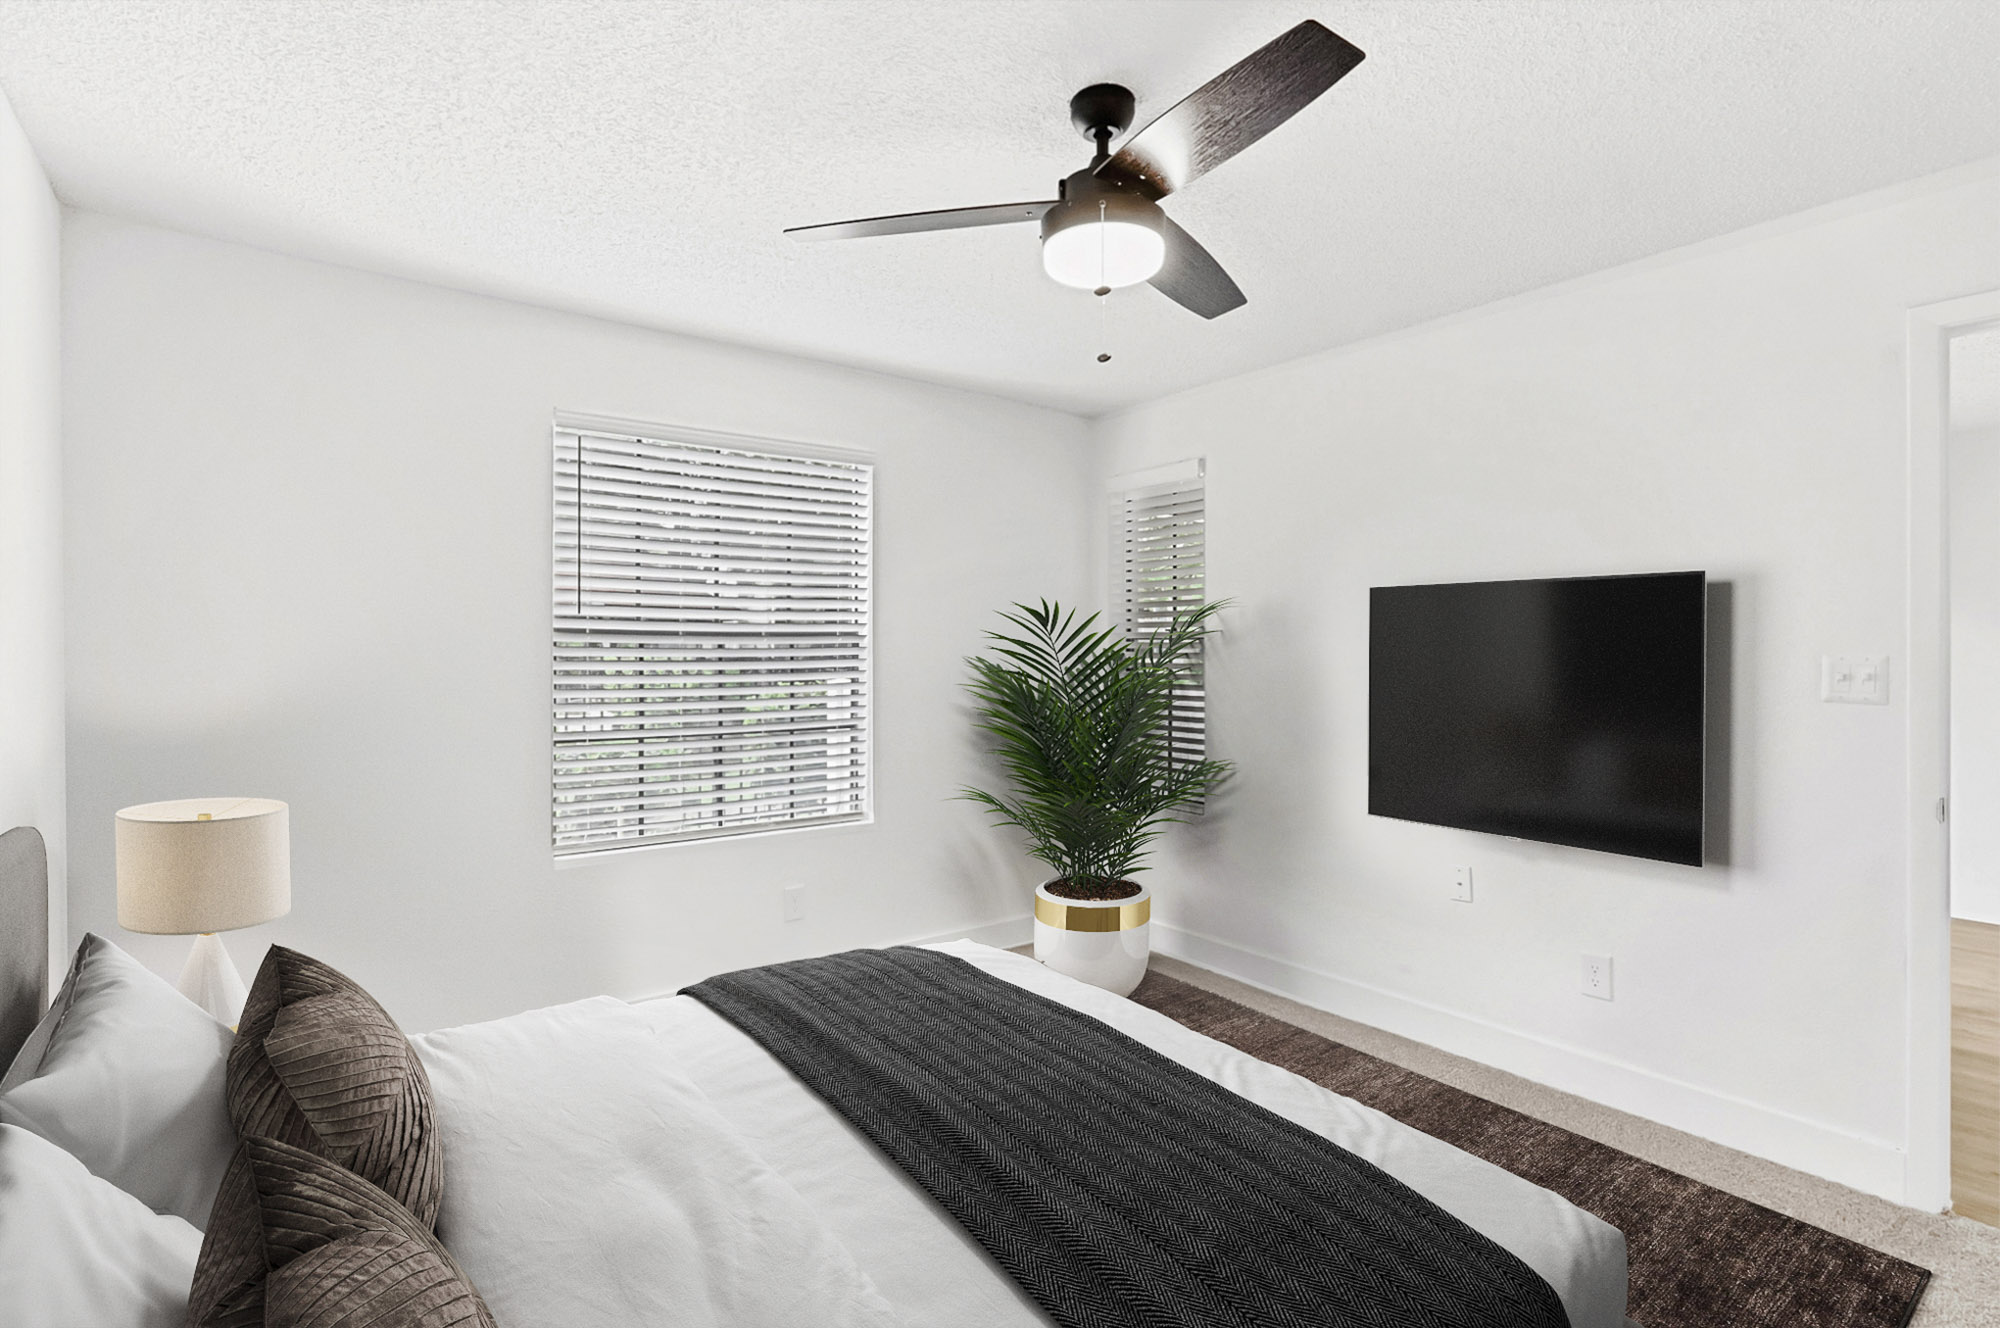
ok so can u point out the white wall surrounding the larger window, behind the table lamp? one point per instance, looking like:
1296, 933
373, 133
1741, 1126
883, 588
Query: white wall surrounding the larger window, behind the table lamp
309, 557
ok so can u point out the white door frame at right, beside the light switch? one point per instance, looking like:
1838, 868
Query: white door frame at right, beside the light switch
1929, 749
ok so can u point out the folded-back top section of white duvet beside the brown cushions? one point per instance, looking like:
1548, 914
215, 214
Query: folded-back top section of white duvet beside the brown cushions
591, 1185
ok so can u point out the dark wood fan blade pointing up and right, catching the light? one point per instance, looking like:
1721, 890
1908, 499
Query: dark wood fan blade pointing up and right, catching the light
1235, 109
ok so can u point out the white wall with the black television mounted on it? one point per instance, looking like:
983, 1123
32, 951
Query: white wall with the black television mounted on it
1737, 409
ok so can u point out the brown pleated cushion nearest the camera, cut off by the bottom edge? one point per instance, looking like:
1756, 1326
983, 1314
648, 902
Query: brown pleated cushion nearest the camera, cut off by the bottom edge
311, 1245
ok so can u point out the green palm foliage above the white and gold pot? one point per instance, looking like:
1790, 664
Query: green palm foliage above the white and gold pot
1077, 719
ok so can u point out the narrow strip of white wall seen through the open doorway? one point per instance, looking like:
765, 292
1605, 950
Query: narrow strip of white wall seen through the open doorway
1973, 465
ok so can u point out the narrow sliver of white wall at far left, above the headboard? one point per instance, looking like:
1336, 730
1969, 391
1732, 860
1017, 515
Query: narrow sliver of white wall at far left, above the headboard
31, 511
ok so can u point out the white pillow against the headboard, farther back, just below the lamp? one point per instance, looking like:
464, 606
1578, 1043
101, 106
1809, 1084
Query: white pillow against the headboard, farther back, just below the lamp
129, 1077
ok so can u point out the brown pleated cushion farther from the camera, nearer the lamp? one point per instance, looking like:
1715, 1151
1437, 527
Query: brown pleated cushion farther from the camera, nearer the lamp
321, 1067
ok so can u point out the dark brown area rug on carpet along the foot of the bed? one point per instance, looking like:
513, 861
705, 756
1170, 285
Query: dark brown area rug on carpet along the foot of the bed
1699, 1257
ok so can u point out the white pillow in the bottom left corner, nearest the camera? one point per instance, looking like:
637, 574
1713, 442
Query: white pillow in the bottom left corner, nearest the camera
81, 1251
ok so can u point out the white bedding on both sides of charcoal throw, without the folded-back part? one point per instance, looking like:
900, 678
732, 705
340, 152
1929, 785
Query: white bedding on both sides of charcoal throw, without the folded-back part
933, 1273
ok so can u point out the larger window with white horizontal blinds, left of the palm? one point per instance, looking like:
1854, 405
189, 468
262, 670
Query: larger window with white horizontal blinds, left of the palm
711, 637
